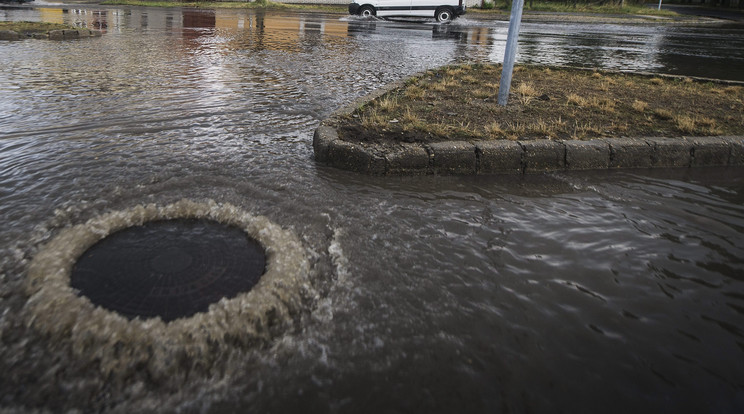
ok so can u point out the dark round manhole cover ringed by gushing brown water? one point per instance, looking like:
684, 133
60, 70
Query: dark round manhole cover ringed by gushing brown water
168, 268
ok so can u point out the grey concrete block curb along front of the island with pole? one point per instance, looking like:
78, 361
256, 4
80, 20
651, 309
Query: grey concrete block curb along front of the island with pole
529, 156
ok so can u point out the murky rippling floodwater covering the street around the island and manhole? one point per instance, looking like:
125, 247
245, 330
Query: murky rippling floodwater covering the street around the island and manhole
611, 291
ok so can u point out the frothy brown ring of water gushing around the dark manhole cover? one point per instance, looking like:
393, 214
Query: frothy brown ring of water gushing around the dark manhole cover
121, 345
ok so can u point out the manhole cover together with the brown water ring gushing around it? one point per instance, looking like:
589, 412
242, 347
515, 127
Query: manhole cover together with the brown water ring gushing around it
195, 279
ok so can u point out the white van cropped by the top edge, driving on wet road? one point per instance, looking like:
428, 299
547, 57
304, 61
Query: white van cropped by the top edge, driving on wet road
442, 10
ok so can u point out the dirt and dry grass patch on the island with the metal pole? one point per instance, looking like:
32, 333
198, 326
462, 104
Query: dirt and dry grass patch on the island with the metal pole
459, 103
